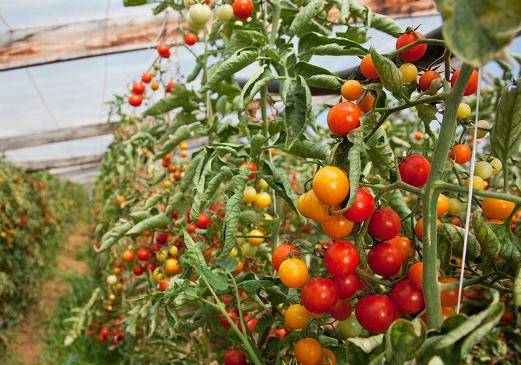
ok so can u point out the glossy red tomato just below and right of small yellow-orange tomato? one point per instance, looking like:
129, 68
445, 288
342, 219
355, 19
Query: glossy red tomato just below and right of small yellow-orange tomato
319, 294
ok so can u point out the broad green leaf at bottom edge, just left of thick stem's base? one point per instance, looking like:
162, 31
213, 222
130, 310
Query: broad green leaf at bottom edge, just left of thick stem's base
403, 340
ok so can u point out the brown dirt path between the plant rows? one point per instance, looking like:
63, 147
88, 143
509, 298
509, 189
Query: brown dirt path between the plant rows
29, 340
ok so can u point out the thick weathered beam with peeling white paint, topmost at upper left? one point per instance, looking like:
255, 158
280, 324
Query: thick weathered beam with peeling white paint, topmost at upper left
44, 45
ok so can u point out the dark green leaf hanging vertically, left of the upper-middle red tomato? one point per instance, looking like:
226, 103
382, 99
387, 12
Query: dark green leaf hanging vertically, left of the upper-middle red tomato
298, 104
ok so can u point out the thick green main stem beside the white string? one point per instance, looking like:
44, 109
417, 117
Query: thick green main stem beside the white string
430, 195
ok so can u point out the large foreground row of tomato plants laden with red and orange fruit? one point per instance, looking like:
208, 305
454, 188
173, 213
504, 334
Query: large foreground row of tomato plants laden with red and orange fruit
246, 222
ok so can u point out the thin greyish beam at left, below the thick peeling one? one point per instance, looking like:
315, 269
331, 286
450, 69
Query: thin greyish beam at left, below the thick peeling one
58, 135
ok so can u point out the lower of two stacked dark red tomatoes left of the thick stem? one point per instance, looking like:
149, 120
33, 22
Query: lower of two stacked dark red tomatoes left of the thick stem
384, 259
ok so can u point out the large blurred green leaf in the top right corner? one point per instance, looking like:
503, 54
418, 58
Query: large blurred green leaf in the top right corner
480, 30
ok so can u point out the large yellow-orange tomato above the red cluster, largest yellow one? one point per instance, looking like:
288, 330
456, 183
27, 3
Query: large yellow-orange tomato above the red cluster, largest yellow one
330, 185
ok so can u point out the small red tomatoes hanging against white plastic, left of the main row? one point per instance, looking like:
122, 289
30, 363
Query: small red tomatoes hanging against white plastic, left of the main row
150, 79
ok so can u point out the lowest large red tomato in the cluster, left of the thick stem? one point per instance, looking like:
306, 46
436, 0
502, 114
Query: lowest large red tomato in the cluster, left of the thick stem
375, 313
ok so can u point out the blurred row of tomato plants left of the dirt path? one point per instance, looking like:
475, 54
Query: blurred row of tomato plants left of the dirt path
36, 209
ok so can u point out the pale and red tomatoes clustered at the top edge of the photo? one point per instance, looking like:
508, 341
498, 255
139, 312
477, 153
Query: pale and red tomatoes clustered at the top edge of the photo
199, 15
